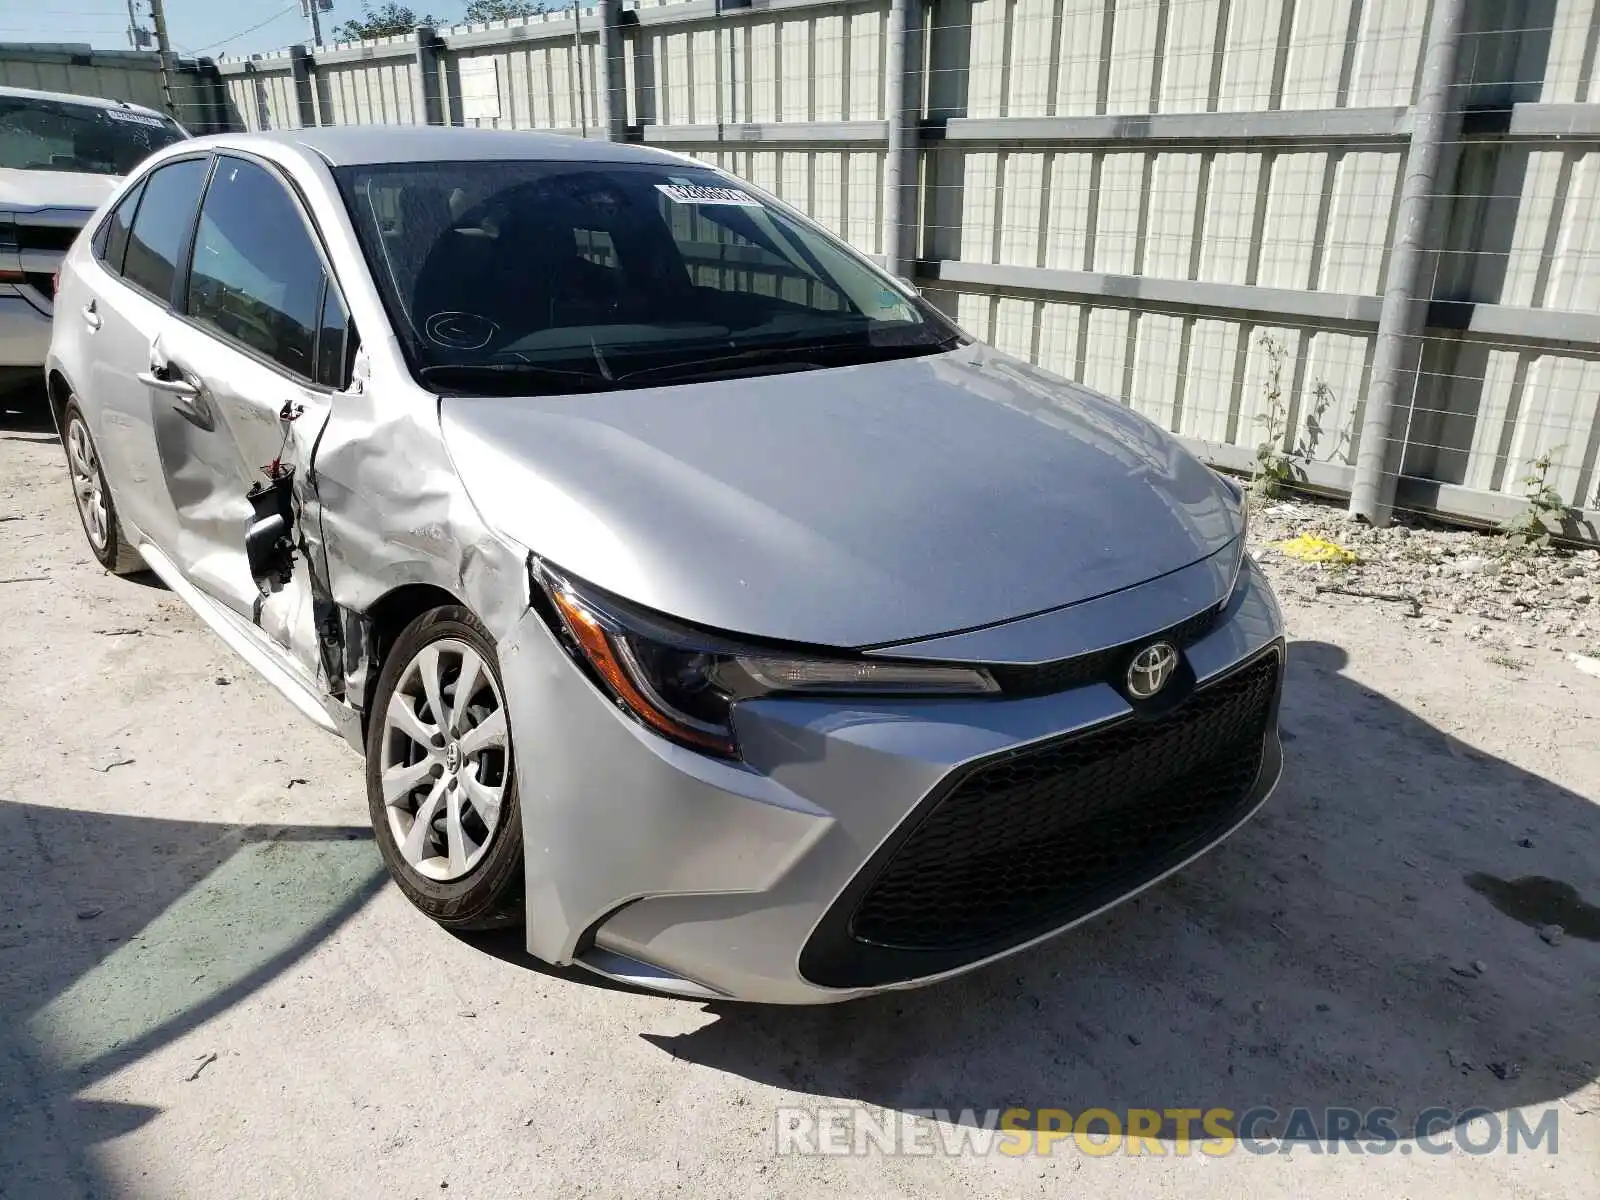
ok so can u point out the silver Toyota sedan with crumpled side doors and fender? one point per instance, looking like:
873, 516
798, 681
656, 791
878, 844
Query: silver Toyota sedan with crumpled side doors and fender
700, 598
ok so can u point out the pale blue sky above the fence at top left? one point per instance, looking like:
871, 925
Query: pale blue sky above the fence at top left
196, 26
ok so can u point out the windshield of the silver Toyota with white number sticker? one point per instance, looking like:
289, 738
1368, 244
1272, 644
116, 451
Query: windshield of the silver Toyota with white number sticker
548, 278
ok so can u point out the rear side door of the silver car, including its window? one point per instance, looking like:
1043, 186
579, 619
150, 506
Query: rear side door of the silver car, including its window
138, 254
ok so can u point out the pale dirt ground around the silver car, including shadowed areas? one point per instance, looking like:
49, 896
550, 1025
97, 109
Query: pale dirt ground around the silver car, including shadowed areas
209, 988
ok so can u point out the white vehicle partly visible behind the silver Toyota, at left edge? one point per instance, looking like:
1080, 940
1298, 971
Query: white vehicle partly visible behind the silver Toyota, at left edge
60, 159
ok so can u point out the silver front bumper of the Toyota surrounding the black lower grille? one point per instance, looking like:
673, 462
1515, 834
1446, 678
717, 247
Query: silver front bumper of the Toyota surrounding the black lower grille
658, 866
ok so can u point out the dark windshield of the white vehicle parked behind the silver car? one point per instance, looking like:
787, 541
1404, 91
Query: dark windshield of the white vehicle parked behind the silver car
42, 135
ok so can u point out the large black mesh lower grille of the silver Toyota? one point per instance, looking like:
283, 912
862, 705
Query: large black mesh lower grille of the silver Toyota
1033, 839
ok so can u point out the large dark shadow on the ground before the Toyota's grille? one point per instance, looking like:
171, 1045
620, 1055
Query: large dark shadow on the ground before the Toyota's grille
1348, 948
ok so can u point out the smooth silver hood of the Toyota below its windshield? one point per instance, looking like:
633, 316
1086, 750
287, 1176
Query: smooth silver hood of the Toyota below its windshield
846, 508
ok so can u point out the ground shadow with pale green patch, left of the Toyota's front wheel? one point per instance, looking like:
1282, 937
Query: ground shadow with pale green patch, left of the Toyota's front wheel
105, 922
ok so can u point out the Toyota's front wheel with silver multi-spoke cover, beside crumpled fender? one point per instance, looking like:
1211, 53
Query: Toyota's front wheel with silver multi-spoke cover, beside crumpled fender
439, 774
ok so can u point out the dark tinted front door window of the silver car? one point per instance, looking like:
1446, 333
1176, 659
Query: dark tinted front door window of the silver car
257, 278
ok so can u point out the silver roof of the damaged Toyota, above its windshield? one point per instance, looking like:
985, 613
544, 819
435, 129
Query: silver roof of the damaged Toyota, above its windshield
356, 145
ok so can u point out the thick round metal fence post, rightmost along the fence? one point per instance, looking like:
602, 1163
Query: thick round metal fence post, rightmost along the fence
1404, 318
